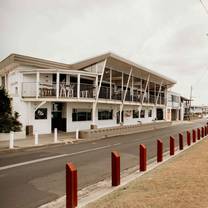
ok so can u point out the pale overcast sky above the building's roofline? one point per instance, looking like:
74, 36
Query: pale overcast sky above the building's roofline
168, 36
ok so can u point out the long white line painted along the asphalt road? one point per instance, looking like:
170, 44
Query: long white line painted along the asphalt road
55, 157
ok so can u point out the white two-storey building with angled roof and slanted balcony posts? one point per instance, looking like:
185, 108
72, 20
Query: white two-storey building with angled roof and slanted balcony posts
103, 91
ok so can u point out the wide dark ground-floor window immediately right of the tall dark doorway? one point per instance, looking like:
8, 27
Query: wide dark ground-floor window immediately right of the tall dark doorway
81, 115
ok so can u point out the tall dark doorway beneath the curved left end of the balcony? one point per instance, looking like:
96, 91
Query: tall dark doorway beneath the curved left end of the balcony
57, 118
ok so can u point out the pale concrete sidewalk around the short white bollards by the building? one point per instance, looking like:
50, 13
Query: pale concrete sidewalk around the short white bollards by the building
44, 140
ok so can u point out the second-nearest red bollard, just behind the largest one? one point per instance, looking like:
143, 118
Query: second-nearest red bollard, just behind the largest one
115, 168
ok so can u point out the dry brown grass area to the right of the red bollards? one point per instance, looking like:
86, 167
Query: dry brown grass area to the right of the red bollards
181, 182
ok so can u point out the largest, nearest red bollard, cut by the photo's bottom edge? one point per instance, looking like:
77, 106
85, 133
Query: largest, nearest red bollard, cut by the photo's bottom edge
71, 185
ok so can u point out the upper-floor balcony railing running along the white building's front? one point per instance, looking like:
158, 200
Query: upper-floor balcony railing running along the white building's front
49, 90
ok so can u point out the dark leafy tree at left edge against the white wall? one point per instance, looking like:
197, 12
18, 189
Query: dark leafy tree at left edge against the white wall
8, 122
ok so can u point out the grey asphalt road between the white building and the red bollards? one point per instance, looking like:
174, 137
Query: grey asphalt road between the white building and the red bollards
26, 184
